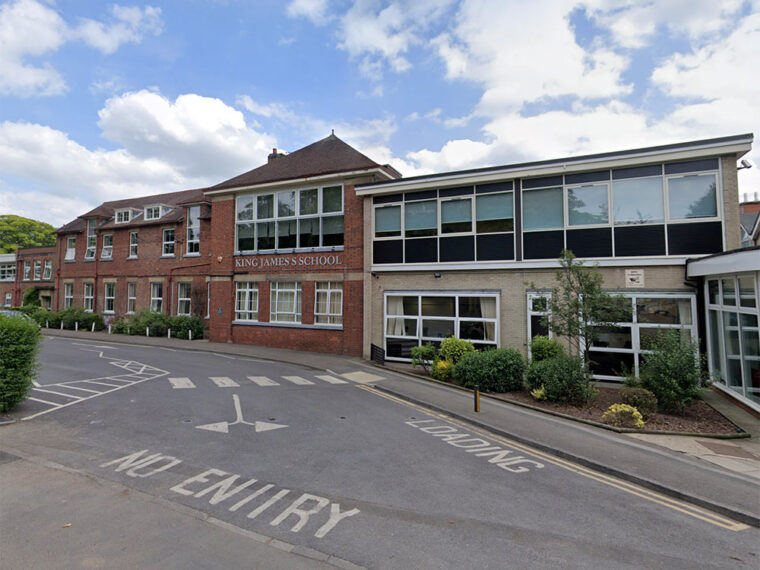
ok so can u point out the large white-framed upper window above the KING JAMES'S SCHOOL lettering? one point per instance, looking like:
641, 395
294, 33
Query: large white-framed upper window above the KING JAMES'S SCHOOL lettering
290, 219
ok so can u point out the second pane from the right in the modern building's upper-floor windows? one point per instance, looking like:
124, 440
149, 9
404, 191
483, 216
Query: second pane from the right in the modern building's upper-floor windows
637, 201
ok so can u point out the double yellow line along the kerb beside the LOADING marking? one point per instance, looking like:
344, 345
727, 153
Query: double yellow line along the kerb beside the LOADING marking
636, 490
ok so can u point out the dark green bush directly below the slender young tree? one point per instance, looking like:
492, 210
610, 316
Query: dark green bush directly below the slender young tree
564, 378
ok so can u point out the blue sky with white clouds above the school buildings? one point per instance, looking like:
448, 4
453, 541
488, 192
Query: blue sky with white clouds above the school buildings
106, 101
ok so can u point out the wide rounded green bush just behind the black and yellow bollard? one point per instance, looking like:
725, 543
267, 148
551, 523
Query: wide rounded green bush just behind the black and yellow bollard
498, 370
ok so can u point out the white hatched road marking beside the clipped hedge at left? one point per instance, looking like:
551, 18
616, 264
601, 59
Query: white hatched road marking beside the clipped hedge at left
136, 372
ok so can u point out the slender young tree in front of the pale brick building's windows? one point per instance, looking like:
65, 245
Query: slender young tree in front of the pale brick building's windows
579, 305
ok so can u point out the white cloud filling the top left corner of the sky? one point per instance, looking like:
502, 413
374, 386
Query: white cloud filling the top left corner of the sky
30, 29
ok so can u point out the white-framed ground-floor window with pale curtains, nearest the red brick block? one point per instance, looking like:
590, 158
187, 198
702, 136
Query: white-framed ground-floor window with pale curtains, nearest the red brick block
416, 318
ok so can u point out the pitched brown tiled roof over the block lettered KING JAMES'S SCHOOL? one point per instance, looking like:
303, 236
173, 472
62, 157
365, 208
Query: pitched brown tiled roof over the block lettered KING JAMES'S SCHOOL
327, 156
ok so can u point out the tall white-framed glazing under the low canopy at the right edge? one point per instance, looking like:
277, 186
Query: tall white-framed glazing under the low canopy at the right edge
733, 332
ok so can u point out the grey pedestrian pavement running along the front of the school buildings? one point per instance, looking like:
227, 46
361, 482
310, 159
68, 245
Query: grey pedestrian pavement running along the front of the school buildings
718, 474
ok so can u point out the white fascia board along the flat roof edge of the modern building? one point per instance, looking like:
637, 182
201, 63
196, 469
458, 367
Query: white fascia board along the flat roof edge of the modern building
567, 167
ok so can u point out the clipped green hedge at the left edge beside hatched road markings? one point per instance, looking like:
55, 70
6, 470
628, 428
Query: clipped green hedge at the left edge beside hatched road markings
19, 343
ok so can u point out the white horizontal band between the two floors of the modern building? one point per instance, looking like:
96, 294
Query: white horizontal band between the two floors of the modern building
526, 265
